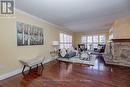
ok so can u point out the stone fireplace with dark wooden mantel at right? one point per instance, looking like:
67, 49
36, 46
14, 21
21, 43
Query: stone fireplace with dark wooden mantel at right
119, 52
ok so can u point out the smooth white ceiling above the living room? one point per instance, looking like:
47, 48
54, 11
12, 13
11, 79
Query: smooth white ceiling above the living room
77, 15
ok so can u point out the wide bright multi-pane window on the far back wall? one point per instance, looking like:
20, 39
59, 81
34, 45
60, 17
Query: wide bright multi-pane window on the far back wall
93, 41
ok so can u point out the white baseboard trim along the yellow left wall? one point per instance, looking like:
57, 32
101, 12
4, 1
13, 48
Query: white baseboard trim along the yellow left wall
18, 71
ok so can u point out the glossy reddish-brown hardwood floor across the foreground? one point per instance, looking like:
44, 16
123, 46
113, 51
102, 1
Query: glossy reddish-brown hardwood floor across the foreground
72, 75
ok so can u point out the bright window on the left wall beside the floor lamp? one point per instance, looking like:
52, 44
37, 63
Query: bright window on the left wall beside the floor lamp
65, 41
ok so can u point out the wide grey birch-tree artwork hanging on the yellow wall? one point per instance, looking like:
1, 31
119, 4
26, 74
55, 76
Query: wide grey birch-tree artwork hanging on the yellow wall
29, 34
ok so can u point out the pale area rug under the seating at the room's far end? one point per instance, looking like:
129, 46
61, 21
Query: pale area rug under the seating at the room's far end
78, 60
